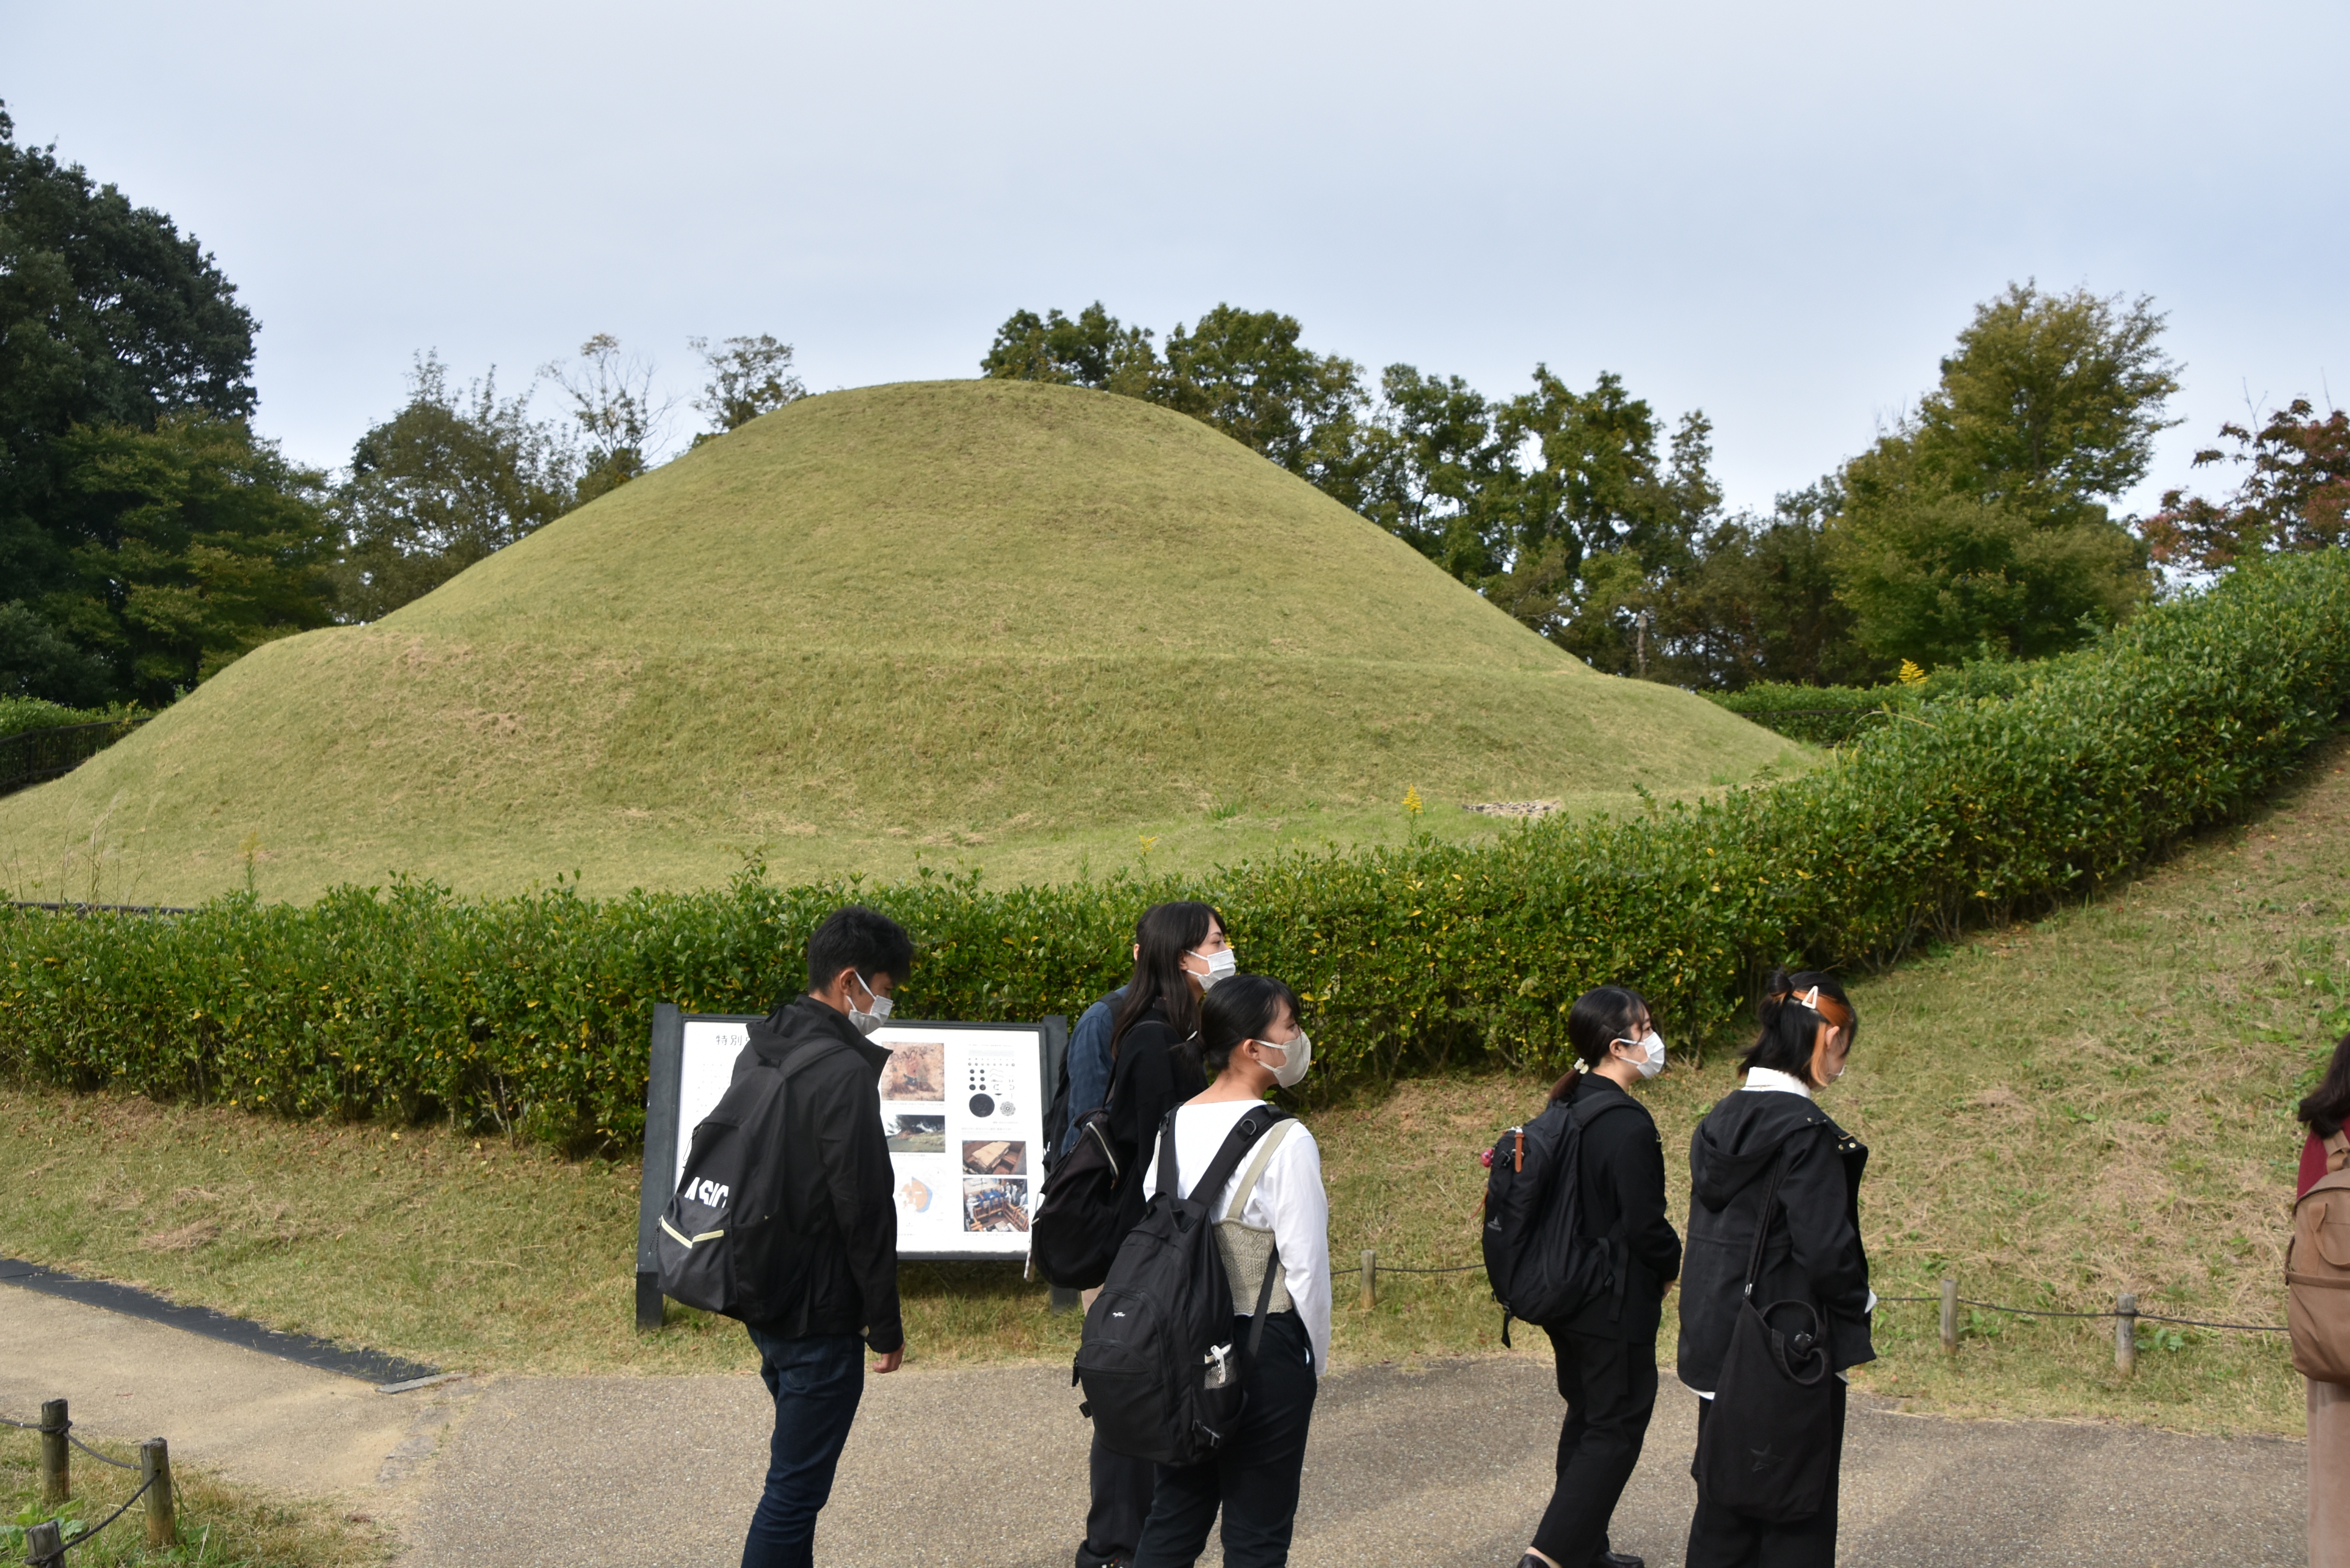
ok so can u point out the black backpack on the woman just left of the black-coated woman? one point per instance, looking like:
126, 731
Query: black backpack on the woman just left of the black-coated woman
1538, 1259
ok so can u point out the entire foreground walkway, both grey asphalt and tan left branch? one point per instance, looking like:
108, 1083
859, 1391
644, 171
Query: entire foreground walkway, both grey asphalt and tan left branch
986, 1468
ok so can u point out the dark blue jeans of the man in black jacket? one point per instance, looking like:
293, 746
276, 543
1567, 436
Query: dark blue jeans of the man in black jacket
817, 1383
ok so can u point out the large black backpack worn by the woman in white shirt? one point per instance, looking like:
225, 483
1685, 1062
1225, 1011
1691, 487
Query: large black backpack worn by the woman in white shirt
1162, 1376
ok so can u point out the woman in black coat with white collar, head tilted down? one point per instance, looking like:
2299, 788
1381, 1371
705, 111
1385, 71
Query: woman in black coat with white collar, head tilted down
1813, 1249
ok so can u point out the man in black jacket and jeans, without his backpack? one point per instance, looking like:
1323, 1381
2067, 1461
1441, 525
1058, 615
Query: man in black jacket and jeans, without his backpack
840, 1209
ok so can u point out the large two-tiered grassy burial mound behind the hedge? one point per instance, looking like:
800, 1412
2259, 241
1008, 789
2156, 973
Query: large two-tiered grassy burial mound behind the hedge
988, 622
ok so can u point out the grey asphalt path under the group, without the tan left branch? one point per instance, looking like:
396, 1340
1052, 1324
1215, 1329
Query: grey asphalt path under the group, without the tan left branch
1409, 1466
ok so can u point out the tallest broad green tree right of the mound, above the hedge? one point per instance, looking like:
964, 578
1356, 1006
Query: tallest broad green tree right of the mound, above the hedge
1980, 525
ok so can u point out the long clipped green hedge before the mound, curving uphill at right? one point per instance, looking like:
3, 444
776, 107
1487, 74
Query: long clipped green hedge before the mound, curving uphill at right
532, 1012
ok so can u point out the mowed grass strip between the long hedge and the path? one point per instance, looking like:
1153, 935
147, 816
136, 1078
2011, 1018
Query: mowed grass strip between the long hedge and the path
2057, 1113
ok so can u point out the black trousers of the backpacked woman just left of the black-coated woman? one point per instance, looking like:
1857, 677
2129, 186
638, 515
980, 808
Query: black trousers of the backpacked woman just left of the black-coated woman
1611, 1391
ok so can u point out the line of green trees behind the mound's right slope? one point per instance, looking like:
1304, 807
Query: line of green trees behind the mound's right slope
1980, 525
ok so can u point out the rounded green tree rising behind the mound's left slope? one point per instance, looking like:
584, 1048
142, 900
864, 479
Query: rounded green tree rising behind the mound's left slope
441, 485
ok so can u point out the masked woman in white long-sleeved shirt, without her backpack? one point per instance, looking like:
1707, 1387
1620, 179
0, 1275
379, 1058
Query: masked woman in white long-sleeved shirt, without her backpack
1249, 1045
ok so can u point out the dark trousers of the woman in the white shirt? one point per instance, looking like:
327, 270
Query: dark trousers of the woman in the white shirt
1254, 1477
